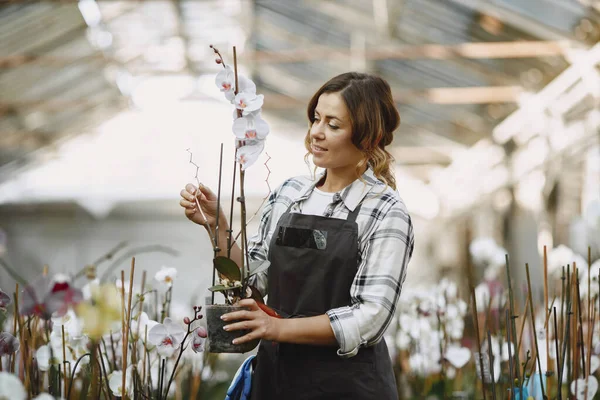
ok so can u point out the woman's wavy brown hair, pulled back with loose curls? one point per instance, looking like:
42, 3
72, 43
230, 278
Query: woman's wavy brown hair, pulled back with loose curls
373, 117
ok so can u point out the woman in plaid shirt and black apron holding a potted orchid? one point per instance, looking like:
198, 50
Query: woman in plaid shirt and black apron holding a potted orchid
338, 248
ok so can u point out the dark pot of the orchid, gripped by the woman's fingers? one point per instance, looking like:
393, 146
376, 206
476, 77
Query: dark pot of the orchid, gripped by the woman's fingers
219, 340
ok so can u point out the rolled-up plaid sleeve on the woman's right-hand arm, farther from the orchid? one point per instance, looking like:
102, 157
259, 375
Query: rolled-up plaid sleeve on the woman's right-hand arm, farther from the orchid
377, 284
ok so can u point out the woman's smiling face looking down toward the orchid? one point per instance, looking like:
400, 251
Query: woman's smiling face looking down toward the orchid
331, 135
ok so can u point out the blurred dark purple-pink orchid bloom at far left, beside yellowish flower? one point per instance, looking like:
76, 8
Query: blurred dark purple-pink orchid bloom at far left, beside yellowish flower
46, 296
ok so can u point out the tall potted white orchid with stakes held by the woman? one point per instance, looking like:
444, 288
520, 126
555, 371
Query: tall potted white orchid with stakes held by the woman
250, 132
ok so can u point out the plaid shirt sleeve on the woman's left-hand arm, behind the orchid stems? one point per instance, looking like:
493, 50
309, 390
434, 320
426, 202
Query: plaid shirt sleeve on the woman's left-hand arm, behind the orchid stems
258, 245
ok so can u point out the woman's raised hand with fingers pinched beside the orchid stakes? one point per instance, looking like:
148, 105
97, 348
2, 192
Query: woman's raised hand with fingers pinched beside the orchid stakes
191, 198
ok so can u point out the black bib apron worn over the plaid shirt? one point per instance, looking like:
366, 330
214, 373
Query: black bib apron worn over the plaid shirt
314, 260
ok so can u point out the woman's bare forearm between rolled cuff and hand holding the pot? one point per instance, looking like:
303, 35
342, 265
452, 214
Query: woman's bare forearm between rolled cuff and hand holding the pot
310, 330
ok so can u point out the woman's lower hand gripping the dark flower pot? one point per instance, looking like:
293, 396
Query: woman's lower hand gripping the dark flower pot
259, 323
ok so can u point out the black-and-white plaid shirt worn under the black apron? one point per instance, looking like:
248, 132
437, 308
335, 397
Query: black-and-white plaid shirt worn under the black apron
385, 242
